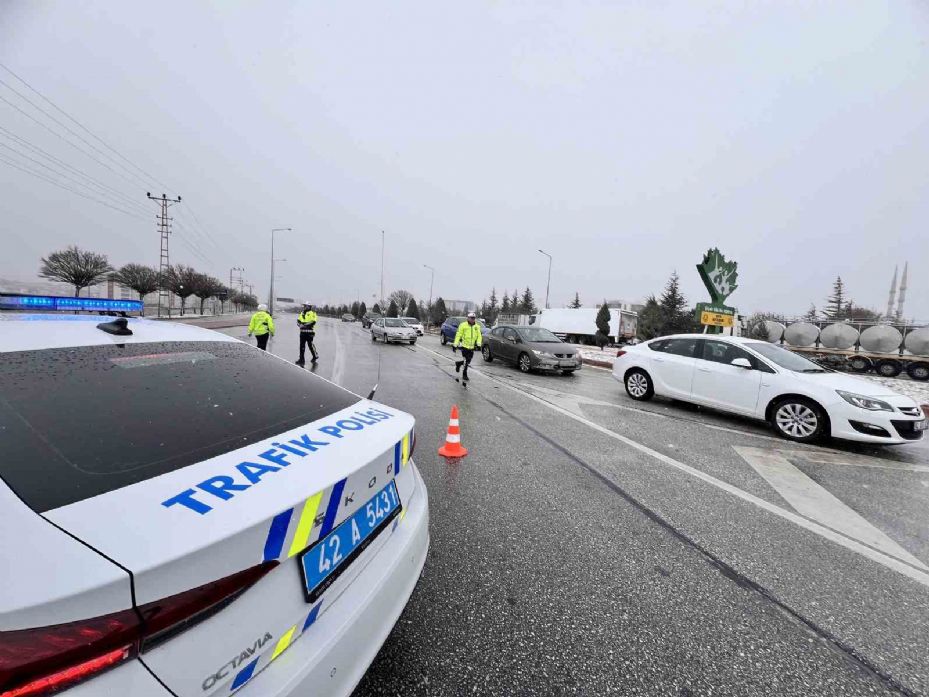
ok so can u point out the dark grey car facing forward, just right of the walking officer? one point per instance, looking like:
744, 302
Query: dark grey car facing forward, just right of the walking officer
530, 348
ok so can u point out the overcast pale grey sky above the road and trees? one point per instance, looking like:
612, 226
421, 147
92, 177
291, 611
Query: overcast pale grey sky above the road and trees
623, 138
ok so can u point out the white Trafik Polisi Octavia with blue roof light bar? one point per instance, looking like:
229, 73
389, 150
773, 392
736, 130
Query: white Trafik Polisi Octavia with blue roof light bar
183, 514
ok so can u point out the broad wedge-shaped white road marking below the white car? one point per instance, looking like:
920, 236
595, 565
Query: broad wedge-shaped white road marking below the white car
813, 501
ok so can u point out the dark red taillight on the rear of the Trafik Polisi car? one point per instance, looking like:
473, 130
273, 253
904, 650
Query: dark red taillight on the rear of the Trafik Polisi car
44, 660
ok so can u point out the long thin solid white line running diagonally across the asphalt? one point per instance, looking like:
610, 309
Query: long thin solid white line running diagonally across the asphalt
891, 562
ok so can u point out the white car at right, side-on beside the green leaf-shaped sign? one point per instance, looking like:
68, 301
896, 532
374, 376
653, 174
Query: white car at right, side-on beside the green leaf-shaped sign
800, 399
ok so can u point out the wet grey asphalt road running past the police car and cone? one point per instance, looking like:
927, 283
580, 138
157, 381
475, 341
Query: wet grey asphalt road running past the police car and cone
593, 545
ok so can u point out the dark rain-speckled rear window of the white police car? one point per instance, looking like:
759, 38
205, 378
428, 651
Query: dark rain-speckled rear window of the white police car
79, 422
